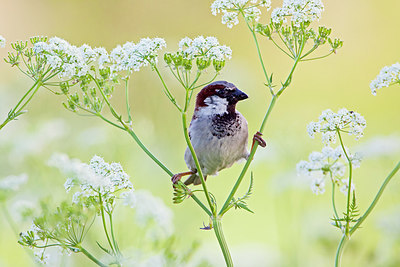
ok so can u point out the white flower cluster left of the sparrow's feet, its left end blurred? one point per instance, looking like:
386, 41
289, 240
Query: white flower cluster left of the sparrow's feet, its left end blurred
96, 177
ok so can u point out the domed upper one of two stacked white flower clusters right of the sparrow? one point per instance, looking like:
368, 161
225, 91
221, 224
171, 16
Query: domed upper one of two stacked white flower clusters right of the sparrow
344, 120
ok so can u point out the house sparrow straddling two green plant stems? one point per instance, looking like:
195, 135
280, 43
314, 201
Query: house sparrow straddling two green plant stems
218, 132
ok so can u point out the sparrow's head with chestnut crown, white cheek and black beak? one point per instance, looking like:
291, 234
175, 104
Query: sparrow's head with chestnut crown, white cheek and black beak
218, 98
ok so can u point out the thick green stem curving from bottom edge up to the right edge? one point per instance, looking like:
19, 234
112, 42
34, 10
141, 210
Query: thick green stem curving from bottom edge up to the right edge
345, 238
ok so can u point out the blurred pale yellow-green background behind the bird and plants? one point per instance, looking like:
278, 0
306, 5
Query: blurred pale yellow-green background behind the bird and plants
291, 226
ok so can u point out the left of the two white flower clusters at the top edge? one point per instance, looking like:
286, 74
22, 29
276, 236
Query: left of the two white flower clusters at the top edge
230, 10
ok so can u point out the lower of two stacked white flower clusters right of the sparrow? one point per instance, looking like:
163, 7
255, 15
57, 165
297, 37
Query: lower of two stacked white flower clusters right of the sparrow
327, 163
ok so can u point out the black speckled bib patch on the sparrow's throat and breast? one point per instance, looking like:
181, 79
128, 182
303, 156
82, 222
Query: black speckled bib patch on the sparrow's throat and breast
227, 124
